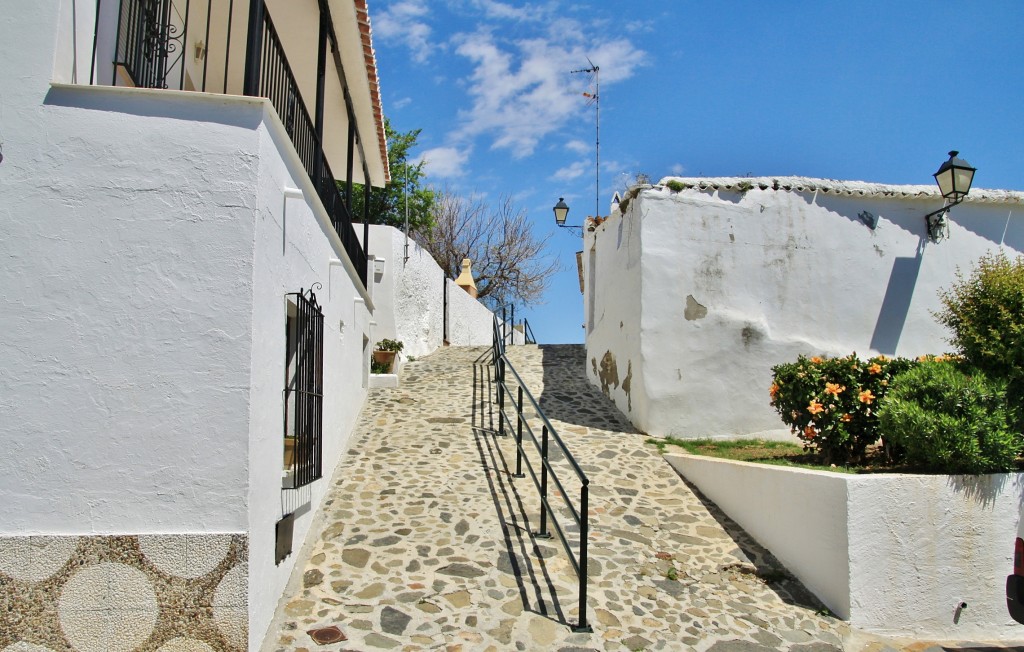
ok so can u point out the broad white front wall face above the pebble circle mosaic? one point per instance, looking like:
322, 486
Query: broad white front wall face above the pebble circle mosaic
125, 393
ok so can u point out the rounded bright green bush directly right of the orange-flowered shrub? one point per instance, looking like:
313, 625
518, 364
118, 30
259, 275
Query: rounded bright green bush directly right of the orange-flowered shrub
949, 420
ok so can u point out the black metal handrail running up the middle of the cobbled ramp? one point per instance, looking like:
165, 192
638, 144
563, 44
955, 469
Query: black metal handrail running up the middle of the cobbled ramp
548, 477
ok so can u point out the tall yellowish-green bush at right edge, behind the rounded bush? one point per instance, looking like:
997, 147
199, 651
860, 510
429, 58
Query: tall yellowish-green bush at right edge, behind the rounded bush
986, 314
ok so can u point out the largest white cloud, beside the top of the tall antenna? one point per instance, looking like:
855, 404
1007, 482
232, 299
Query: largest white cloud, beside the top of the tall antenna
523, 92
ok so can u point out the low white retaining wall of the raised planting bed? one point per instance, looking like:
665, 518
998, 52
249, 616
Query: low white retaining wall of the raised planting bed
892, 554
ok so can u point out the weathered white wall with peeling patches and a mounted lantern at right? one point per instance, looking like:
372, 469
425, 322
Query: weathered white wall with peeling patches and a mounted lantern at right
731, 284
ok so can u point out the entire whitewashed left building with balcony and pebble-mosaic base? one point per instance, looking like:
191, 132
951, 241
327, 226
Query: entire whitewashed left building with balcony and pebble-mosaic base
184, 307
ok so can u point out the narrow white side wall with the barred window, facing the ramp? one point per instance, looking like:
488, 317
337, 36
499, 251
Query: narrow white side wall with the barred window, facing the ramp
295, 248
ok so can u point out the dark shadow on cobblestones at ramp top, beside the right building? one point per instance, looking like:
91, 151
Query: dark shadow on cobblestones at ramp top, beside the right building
570, 398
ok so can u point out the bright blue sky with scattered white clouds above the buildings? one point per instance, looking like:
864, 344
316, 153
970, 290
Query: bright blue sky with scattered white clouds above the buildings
869, 91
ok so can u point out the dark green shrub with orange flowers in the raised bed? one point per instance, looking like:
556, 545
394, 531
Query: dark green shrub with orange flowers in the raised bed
832, 404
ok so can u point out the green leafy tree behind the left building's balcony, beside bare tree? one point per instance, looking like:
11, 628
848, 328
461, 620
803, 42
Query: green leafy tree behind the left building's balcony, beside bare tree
388, 205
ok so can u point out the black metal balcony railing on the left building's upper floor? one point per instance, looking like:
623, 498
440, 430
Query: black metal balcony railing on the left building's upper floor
187, 45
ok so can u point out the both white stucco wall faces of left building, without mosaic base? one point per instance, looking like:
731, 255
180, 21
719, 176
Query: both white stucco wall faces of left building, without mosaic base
149, 248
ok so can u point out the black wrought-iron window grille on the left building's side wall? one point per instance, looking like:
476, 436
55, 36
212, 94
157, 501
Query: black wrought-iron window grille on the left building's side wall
304, 390
